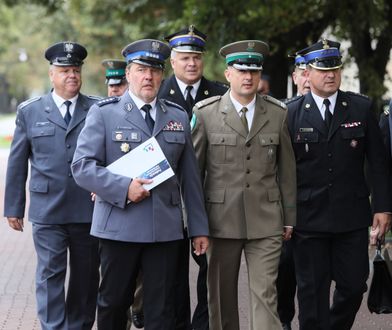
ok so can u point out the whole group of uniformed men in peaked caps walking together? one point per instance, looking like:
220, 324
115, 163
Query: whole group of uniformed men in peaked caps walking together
248, 169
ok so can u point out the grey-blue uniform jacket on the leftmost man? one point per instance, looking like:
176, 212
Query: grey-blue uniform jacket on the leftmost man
43, 138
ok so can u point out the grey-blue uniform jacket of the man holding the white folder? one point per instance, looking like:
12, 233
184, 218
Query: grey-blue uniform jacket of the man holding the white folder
109, 126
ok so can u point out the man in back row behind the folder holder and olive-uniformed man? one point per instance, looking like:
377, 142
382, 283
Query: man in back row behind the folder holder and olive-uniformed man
187, 48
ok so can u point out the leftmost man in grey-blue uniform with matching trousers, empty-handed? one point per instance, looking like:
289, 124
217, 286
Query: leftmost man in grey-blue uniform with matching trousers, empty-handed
47, 128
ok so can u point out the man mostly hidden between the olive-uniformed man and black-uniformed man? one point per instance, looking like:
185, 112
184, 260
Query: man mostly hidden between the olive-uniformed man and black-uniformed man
286, 283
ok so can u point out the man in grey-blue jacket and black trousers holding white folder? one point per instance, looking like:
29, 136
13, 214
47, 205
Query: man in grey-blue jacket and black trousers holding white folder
140, 228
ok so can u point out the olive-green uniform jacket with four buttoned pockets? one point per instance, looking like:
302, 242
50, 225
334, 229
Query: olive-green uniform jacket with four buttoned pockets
249, 179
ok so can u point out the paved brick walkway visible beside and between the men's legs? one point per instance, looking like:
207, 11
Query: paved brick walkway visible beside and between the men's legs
17, 268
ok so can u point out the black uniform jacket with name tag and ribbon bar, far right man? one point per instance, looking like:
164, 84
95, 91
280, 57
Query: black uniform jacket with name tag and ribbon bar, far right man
333, 195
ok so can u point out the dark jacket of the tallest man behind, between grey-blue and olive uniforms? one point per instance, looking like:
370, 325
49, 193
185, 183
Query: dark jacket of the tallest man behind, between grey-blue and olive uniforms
170, 91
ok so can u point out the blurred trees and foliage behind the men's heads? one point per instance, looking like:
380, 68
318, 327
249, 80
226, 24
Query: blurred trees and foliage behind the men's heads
104, 27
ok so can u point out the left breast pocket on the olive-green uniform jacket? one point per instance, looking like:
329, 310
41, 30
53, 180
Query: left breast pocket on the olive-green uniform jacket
222, 148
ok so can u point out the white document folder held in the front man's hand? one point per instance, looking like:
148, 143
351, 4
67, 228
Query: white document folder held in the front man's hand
146, 161
